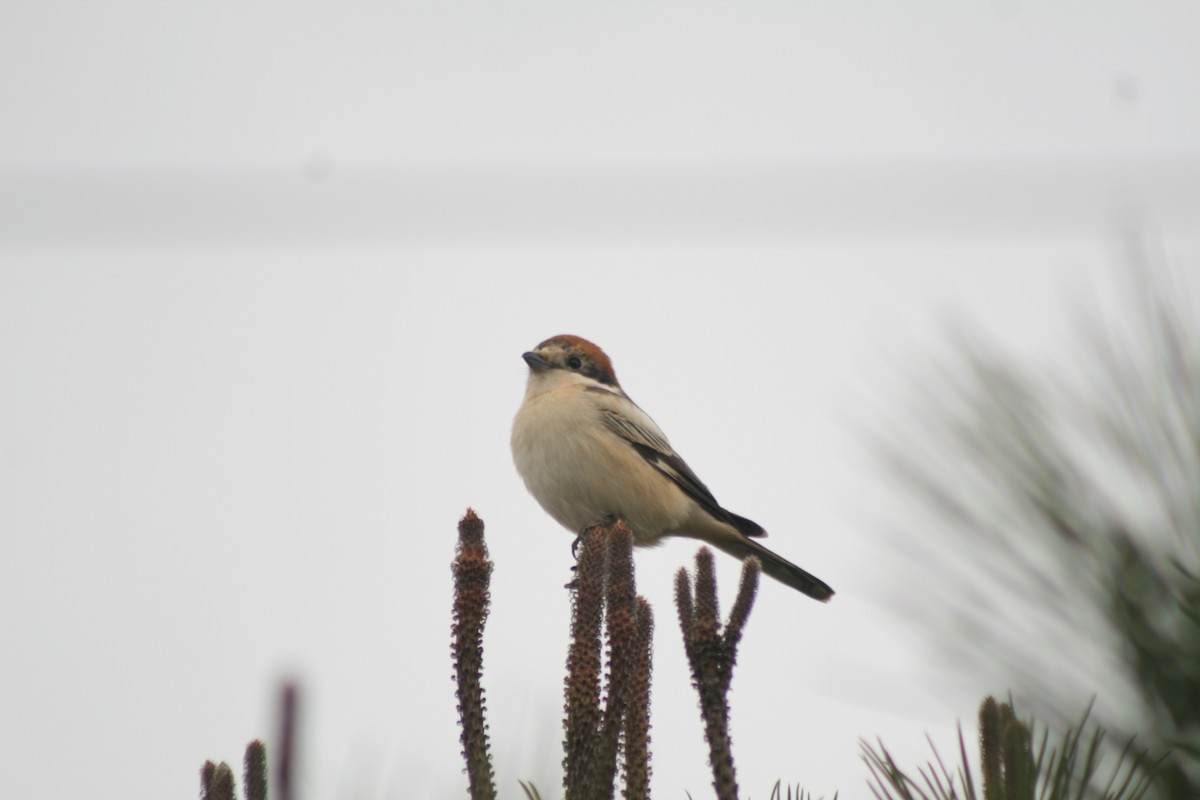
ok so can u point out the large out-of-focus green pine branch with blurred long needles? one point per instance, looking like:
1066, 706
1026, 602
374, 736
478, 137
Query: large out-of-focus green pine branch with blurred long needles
1070, 495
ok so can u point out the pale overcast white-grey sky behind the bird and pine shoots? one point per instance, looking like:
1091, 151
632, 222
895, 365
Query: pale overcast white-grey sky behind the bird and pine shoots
267, 272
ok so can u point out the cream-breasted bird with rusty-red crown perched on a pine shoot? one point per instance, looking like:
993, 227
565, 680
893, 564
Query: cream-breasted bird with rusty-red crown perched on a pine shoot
590, 455
